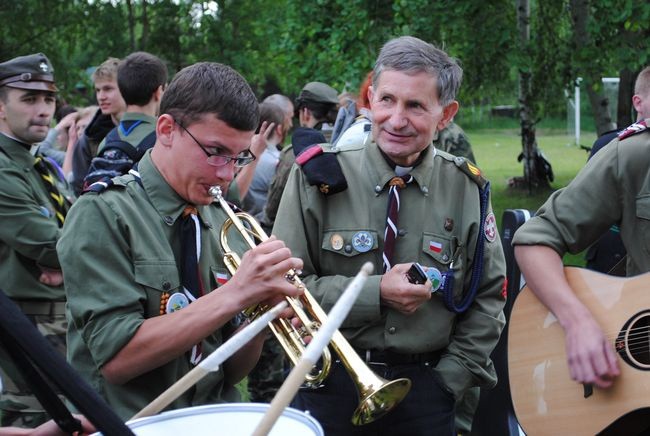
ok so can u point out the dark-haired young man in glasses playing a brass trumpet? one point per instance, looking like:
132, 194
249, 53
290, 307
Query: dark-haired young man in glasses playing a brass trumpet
141, 316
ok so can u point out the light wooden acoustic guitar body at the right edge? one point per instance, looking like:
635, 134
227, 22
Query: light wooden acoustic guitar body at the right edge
545, 399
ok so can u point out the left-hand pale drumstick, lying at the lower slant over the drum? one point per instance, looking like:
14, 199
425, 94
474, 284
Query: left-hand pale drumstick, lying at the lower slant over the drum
212, 362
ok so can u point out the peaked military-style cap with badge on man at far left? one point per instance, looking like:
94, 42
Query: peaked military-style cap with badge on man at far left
28, 72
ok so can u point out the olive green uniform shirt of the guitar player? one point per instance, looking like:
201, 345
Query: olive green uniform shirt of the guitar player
613, 188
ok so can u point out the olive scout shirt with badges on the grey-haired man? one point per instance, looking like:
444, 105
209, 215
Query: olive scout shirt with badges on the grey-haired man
438, 224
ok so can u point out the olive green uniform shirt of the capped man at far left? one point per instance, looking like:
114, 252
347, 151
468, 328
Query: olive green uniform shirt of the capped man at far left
29, 229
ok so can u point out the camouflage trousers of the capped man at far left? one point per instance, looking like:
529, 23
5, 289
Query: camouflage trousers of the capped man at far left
18, 406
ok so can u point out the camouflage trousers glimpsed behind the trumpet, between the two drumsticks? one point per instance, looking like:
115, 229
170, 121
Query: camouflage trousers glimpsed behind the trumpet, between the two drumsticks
268, 375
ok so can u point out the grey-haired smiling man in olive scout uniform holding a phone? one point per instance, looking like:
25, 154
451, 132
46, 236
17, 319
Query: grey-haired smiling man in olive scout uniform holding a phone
439, 333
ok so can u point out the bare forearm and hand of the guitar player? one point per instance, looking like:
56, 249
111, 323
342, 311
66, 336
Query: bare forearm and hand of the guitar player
590, 356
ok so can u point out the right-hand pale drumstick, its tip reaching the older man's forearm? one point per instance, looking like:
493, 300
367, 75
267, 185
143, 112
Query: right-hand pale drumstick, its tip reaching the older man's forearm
314, 350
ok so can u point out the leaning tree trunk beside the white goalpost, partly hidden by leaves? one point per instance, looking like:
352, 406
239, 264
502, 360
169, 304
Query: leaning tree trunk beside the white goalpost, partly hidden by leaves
591, 79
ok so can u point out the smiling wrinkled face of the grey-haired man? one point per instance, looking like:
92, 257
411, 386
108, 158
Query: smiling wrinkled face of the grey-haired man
406, 114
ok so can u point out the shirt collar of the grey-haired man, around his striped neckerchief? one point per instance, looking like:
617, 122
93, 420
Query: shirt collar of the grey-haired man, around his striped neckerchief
381, 171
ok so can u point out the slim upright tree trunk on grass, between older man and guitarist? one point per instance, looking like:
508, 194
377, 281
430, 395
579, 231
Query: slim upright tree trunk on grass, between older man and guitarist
533, 178
